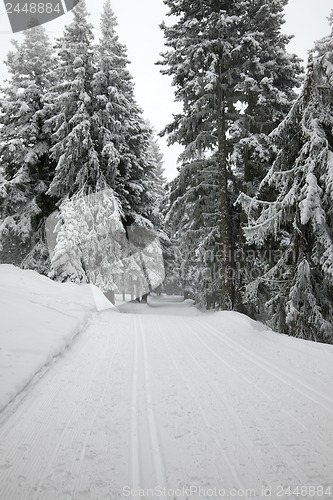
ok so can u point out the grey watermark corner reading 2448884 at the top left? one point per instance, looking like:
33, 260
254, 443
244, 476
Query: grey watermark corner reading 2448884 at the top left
26, 14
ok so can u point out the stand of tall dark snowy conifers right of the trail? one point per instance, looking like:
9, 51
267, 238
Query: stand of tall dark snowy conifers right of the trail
250, 212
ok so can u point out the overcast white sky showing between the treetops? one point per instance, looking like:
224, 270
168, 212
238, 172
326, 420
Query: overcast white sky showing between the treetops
139, 30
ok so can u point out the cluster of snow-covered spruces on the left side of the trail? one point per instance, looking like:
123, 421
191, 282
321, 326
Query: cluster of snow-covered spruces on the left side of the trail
73, 138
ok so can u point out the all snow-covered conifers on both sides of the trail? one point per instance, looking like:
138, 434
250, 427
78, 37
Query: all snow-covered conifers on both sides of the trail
246, 224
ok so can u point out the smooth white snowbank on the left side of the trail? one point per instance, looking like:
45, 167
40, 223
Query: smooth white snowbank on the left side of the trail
38, 318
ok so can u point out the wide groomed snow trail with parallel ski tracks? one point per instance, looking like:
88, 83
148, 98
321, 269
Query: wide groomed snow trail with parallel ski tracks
173, 402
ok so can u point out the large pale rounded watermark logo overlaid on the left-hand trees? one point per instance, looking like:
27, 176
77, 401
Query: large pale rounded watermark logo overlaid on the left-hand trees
88, 242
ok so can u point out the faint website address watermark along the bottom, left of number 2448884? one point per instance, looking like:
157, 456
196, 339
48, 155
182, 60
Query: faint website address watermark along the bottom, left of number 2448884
188, 492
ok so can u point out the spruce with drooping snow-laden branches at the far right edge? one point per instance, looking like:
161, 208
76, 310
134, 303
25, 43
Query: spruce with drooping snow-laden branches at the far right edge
294, 210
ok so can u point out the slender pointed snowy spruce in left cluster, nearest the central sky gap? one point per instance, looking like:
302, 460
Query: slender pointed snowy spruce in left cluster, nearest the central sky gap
125, 142
